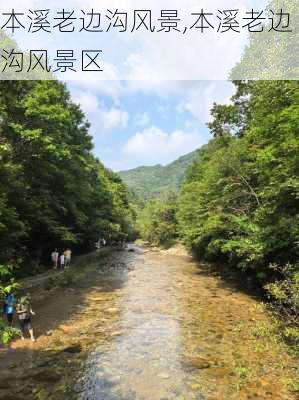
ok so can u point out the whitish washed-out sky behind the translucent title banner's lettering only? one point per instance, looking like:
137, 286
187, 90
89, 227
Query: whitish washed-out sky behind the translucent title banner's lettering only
150, 56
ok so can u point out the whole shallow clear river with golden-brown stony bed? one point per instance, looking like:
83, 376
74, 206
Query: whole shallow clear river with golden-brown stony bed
147, 326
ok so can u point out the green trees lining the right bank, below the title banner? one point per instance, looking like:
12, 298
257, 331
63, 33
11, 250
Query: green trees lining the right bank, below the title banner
238, 207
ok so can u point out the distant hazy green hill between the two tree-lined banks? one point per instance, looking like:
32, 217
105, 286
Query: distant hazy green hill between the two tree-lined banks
148, 182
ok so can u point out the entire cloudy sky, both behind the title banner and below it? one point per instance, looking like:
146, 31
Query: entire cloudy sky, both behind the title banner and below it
148, 106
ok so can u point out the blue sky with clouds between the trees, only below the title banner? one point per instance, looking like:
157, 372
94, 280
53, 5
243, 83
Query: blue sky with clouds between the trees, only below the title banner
146, 123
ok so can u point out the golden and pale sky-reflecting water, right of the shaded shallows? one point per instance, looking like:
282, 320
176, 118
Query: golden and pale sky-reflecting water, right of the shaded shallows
179, 336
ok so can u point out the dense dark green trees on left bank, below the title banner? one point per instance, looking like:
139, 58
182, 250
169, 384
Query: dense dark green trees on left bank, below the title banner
53, 191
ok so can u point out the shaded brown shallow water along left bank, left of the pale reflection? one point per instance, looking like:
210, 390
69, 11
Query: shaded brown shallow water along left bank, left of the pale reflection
48, 368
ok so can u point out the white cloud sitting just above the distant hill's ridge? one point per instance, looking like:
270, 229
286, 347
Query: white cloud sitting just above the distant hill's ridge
152, 146
